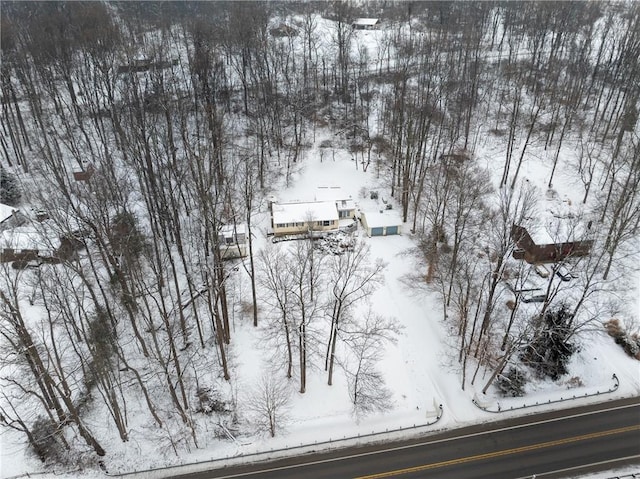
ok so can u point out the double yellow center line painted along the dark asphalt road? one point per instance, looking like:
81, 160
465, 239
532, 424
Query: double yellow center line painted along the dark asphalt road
504, 452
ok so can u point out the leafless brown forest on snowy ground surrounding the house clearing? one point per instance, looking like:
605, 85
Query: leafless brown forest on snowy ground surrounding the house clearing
184, 114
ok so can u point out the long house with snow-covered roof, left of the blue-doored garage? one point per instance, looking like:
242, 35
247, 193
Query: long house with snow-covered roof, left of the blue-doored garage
297, 218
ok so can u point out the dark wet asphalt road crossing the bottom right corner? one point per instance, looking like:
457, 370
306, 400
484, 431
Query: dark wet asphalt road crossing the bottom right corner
550, 445
